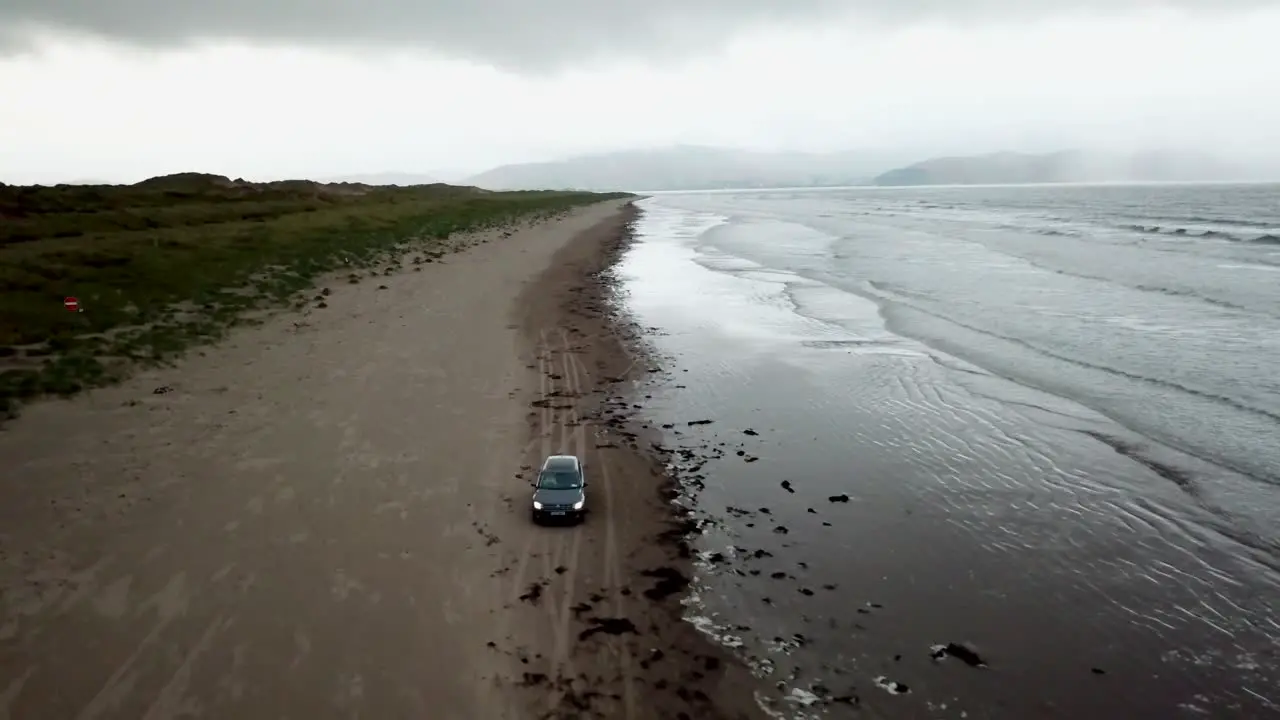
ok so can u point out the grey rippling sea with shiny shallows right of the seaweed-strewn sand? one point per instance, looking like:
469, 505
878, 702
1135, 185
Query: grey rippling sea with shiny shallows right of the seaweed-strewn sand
998, 453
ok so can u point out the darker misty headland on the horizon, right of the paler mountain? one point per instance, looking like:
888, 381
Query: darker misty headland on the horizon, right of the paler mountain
1071, 166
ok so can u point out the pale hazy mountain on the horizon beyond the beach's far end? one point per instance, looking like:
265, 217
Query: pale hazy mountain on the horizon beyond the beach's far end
689, 167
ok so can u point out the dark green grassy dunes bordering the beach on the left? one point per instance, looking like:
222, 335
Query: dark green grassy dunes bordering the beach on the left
171, 262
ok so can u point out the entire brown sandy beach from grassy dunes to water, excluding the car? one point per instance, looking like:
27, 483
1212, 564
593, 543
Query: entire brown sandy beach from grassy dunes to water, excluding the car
323, 517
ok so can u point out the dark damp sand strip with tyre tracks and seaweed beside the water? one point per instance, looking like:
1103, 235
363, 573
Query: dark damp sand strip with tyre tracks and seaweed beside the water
632, 560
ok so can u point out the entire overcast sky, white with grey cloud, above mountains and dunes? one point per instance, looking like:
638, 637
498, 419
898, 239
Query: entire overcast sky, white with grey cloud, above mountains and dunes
130, 89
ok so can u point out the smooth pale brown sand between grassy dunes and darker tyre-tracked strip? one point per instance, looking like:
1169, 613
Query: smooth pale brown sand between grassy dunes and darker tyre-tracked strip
308, 521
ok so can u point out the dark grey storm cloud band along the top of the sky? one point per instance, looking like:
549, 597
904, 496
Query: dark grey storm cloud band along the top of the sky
531, 35
